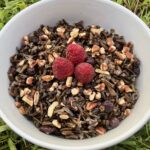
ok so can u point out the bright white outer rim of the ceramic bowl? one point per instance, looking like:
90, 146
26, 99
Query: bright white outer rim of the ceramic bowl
94, 146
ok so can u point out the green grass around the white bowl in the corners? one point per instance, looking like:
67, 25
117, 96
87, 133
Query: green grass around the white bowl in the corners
10, 141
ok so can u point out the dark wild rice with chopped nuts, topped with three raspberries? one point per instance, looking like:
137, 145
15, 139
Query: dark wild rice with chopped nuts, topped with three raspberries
60, 93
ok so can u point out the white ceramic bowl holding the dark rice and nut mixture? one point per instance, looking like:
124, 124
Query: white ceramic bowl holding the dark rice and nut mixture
99, 12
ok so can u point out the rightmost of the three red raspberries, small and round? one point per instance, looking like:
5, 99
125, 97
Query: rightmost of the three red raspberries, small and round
84, 72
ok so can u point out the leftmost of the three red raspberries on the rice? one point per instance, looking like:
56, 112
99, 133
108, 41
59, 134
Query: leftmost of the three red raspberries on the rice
62, 68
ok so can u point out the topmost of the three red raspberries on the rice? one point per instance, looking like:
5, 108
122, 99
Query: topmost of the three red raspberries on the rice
75, 53
